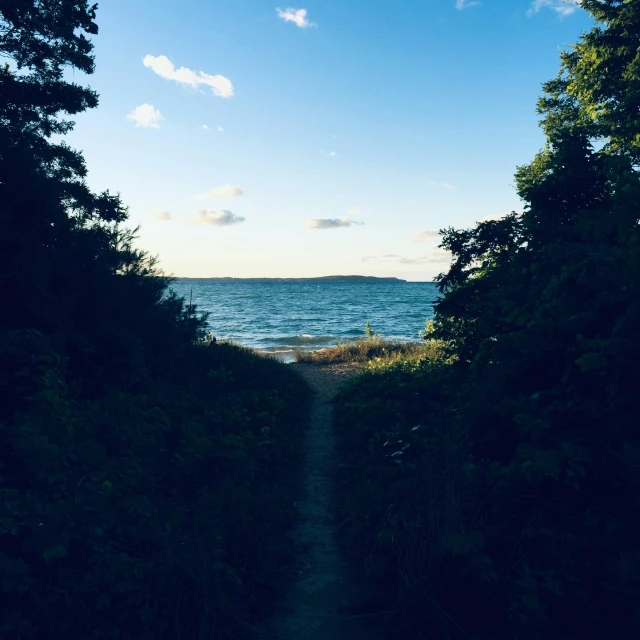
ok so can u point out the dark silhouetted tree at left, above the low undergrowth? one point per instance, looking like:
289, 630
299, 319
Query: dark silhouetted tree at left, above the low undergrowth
67, 265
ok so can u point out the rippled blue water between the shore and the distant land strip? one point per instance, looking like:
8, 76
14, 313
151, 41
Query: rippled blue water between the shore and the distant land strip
278, 316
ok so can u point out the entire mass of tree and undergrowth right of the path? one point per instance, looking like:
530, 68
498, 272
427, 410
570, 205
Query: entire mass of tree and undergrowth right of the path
490, 486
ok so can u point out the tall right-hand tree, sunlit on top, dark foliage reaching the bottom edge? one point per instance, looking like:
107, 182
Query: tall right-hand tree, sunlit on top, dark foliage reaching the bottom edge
543, 311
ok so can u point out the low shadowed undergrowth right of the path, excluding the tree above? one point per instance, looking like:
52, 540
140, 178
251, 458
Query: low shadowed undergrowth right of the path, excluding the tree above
454, 542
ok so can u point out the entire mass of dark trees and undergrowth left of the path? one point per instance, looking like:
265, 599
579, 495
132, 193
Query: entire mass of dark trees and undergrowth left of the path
146, 473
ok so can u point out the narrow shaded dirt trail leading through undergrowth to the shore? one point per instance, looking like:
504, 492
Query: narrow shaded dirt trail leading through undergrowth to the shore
314, 608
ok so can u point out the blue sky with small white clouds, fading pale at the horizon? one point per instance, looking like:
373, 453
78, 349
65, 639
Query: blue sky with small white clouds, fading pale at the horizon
250, 139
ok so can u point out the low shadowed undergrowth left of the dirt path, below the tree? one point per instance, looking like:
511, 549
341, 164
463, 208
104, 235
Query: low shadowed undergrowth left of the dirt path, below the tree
162, 512
